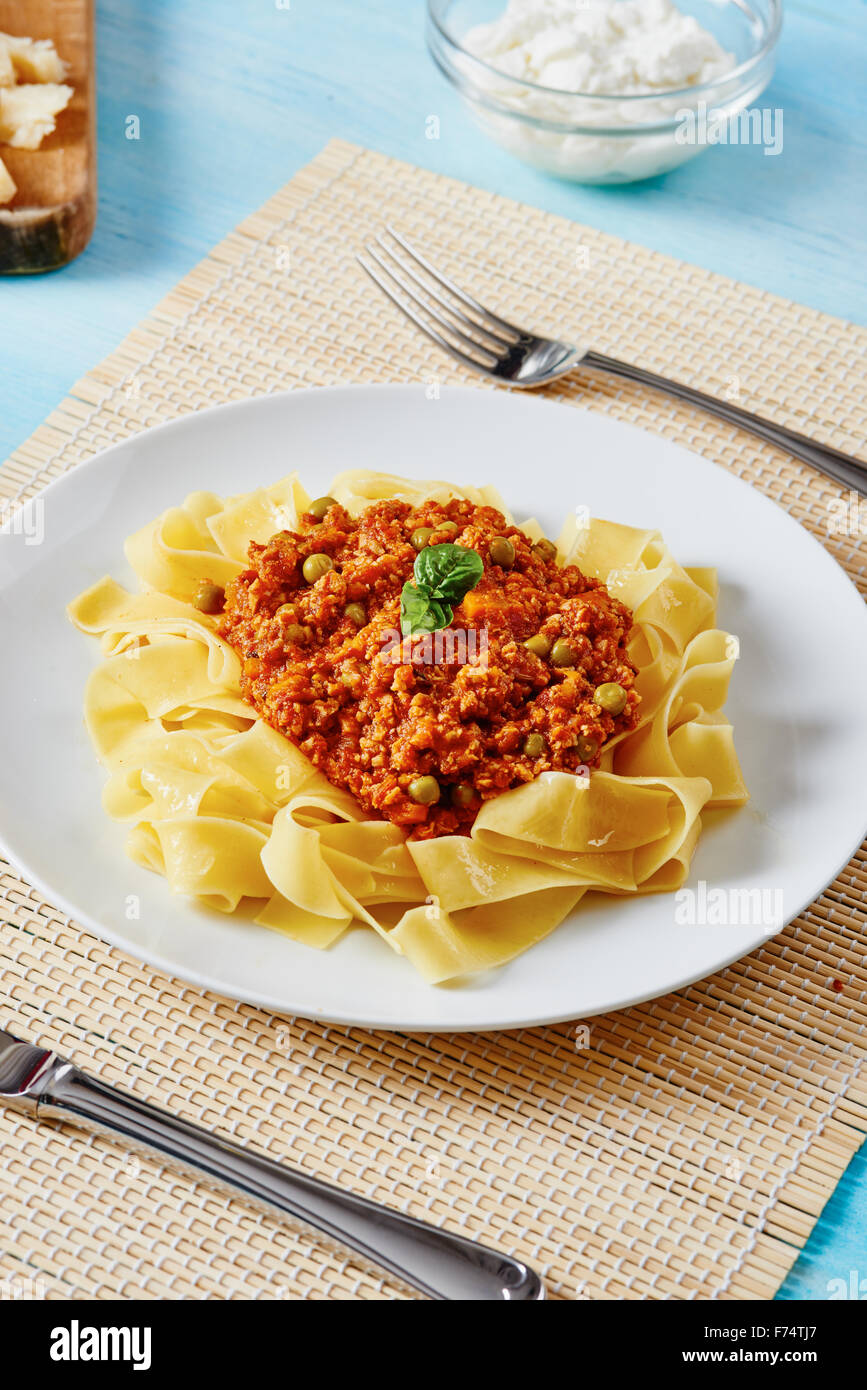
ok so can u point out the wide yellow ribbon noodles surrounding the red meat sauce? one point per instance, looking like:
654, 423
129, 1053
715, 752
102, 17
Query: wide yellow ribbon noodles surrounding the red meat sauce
234, 815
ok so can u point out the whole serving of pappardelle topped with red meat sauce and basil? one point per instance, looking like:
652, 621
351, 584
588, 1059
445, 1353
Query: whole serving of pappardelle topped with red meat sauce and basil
593, 776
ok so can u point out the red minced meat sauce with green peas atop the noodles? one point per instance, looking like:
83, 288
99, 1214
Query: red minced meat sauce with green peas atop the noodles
531, 675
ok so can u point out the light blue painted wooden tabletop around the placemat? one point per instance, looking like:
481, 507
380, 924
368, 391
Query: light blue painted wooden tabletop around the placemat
234, 97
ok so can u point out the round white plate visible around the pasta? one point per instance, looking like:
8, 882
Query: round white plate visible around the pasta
797, 700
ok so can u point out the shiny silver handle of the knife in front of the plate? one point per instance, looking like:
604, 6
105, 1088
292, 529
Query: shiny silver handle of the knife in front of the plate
429, 1260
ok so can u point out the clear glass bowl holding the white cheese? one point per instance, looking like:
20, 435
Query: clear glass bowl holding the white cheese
616, 140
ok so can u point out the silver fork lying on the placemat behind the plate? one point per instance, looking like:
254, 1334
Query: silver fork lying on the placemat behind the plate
512, 357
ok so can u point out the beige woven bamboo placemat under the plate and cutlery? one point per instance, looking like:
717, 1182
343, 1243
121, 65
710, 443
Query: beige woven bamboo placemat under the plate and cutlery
686, 1147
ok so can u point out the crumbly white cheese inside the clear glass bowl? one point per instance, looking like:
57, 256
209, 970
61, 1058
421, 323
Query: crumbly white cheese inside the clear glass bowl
565, 63
